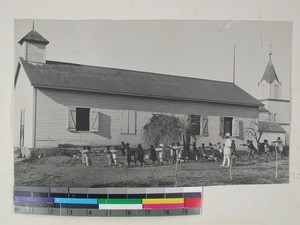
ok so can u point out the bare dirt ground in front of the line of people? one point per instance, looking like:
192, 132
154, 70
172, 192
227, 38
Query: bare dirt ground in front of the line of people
67, 171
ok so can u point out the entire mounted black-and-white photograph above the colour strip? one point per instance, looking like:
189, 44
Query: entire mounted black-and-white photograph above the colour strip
157, 103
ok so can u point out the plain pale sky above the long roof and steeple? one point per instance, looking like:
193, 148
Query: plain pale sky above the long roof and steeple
201, 49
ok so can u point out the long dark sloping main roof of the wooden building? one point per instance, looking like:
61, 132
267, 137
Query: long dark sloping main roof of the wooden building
126, 82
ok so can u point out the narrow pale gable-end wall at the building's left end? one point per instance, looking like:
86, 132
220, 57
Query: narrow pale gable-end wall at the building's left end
23, 99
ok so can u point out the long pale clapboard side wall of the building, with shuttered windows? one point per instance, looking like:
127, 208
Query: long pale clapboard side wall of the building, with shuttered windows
52, 116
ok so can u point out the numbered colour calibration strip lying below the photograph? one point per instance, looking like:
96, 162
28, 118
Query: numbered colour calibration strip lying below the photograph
108, 201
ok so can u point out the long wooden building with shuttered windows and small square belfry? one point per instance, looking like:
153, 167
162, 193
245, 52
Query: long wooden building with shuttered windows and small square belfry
58, 103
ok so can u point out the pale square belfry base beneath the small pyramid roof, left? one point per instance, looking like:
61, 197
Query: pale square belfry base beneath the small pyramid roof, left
35, 52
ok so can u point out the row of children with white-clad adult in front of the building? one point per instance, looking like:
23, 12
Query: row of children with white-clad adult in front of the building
177, 153
